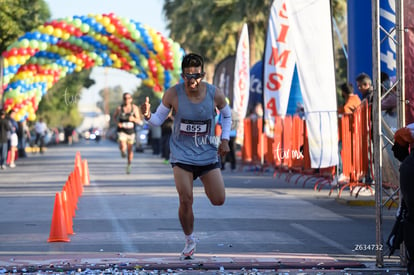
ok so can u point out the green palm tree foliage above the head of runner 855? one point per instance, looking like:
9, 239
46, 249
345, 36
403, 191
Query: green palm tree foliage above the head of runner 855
217, 37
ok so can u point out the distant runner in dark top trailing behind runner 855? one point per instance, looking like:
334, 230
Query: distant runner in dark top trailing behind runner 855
127, 115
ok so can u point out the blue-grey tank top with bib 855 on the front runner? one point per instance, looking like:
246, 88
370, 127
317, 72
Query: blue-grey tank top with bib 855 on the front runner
193, 140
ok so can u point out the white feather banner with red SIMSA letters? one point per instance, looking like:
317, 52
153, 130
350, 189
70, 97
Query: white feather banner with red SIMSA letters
279, 63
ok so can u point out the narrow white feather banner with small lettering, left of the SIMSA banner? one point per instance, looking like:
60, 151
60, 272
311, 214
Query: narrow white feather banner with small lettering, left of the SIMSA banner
242, 81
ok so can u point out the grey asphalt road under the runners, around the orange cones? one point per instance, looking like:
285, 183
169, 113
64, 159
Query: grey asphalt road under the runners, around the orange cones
137, 213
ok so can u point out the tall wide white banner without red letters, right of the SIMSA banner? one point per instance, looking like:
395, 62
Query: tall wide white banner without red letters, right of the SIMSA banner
311, 32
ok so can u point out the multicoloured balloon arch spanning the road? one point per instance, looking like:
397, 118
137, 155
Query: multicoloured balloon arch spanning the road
38, 59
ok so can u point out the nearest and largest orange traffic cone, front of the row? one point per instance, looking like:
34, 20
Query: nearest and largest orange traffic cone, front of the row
58, 228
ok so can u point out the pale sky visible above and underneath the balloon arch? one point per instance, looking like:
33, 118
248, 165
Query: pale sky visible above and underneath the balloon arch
147, 12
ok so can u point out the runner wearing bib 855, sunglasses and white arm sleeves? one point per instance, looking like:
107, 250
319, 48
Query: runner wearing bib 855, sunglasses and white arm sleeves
194, 147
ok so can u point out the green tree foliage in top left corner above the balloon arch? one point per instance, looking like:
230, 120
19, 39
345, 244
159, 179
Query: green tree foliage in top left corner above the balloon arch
20, 16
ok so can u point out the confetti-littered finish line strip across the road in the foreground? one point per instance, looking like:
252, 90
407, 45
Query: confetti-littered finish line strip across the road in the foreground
152, 261
